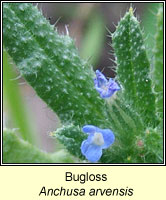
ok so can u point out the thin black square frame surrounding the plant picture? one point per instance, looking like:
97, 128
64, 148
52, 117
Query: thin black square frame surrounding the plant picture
82, 164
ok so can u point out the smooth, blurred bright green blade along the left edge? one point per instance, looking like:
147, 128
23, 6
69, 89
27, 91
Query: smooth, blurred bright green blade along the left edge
15, 102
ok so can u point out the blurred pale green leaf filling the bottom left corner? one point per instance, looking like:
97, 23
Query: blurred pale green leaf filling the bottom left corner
16, 150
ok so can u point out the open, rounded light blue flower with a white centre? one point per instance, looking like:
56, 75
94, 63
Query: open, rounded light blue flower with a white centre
97, 140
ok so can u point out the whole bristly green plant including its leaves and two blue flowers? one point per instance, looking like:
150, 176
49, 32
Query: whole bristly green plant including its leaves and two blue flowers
109, 121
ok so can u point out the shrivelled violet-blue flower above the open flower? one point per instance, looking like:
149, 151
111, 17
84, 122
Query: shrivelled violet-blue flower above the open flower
106, 88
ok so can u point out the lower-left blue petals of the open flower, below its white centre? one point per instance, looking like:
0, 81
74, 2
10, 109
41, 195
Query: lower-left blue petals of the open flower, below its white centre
92, 152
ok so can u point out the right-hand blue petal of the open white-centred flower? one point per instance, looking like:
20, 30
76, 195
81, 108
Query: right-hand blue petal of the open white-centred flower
108, 137
